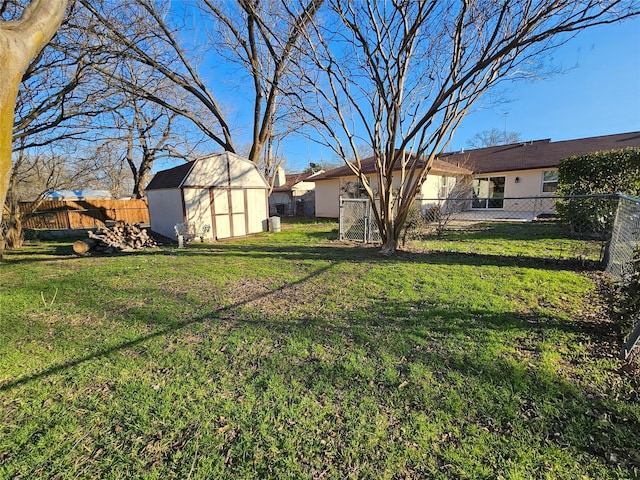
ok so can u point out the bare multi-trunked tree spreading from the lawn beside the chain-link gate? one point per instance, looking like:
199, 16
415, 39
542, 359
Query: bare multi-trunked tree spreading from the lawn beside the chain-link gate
401, 75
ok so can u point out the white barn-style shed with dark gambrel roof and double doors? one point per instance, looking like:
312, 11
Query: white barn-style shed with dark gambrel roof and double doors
225, 191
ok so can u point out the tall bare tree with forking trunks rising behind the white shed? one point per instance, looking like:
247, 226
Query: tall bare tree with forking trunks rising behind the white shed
260, 36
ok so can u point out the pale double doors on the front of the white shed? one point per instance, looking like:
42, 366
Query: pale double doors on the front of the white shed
229, 212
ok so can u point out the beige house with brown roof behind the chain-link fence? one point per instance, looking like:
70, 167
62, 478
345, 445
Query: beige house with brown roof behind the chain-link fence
504, 178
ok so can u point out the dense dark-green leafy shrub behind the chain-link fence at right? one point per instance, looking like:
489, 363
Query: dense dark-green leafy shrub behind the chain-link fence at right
615, 171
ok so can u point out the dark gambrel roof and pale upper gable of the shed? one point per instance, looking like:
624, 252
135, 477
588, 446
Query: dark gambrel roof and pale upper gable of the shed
220, 170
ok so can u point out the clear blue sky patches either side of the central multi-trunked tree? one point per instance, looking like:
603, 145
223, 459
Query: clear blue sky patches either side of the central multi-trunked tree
598, 95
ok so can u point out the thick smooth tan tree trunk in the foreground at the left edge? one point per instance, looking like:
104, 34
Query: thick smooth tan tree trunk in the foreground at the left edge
20, 42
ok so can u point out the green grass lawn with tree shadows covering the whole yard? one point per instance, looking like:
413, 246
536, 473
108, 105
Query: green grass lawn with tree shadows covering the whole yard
484, 354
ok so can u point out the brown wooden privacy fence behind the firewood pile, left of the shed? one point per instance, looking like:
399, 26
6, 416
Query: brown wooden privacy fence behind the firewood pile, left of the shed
76, 214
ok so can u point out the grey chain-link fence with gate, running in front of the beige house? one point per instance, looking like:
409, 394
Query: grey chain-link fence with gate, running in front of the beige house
613, 220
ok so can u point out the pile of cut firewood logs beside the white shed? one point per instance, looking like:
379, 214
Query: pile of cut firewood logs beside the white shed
118, 237
